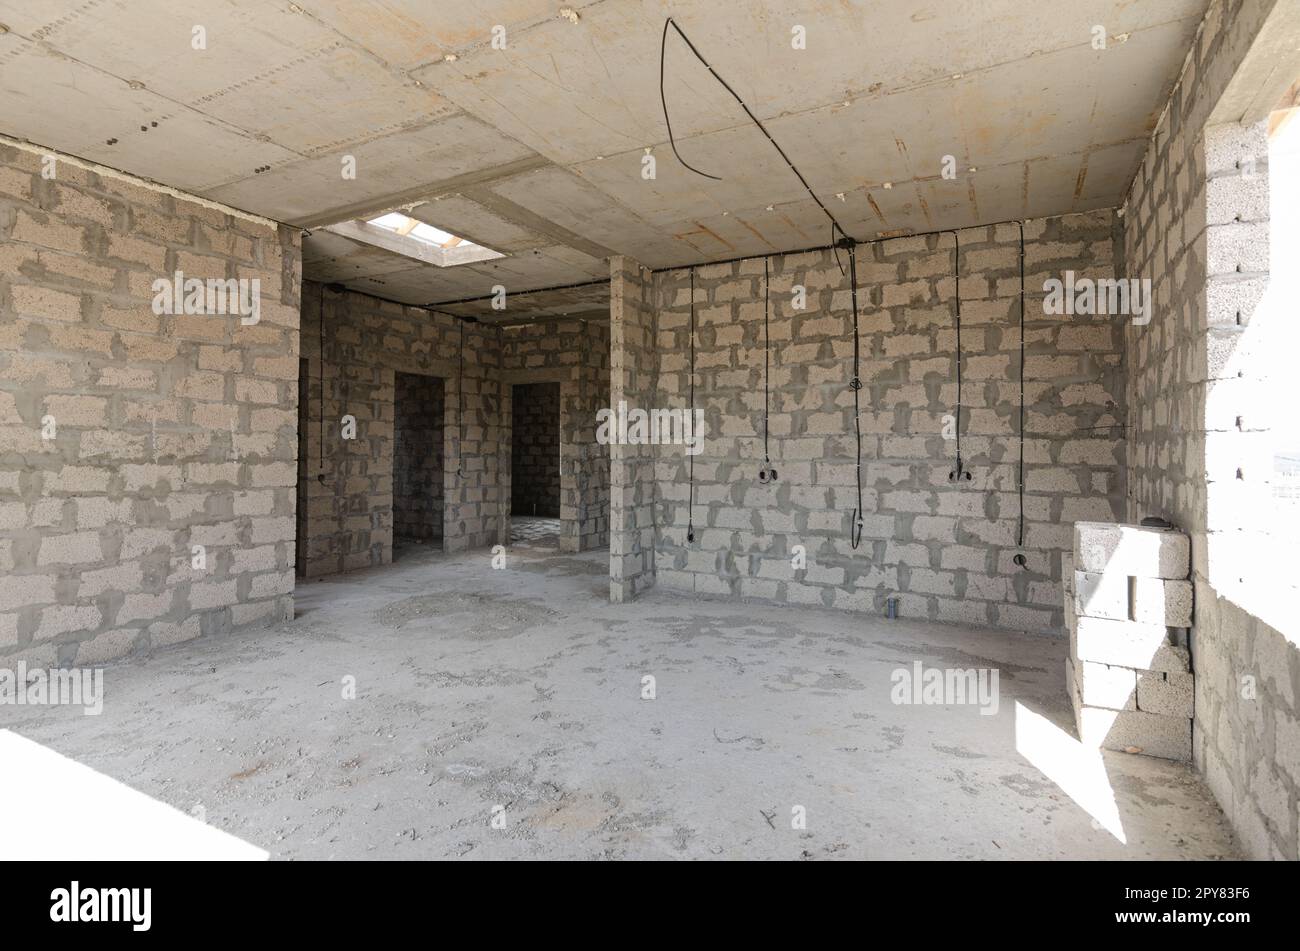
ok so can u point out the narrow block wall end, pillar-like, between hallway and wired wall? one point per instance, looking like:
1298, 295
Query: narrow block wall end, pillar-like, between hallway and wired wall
634, 380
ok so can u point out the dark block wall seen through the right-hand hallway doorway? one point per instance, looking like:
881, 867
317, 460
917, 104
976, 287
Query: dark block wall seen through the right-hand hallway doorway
535, 448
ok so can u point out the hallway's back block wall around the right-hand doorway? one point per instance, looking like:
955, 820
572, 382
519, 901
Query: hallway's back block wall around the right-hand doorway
575, 354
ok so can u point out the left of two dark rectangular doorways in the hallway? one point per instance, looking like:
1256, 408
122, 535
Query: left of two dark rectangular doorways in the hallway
419, 428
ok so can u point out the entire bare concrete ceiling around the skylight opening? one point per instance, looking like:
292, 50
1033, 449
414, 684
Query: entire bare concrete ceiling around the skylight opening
536, 149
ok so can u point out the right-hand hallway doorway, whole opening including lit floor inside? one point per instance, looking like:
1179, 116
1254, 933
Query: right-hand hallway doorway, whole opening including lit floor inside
535, 496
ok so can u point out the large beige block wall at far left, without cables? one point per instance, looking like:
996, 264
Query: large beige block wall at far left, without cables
172, 431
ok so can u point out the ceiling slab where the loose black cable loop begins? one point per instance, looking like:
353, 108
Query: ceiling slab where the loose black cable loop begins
573, 93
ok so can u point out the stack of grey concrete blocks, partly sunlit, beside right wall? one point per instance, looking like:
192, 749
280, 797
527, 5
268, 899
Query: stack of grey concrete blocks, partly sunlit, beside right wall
1128, 606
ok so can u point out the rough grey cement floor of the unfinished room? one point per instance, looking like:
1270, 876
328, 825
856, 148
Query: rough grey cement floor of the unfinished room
522, 688
